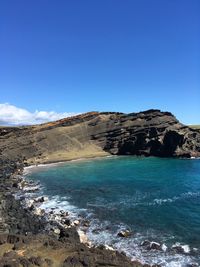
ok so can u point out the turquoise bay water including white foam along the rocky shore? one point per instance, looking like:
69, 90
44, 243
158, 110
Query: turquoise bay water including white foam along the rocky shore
158, 199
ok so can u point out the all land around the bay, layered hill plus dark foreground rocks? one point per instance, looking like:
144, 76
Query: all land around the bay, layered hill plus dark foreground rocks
24, 240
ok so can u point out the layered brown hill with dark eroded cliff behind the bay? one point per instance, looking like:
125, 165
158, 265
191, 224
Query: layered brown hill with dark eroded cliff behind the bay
146, 133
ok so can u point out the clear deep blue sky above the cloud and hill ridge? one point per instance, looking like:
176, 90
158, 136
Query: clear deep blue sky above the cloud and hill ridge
105, 55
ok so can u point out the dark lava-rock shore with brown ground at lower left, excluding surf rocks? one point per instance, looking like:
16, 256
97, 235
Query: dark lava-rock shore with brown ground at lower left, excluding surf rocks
24, 229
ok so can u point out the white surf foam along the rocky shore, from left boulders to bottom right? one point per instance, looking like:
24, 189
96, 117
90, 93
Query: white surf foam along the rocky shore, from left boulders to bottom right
105, 233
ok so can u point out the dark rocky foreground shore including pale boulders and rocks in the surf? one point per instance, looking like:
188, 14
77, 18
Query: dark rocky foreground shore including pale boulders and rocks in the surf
26, 229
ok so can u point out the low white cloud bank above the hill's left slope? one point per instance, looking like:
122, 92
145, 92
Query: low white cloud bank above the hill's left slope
12, 115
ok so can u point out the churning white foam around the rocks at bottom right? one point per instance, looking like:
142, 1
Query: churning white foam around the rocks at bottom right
99, 233
